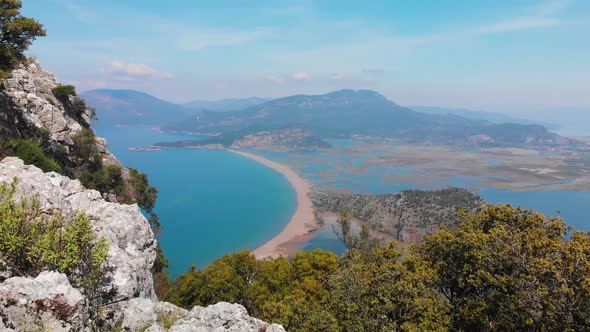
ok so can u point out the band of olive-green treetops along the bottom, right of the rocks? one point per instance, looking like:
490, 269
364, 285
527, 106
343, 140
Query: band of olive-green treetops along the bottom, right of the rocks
503, 269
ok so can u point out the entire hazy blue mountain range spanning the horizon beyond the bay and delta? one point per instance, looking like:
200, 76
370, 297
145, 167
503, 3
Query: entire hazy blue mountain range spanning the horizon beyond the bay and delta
340, 113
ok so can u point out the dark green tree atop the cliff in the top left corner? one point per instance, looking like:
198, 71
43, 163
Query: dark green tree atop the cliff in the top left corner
17, 33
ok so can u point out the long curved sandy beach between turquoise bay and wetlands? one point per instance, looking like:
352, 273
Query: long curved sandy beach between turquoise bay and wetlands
303, 220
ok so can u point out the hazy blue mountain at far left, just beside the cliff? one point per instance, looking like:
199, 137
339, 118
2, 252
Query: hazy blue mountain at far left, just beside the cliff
130, 107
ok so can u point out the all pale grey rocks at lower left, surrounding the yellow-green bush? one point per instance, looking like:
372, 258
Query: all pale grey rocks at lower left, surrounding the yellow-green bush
49, 301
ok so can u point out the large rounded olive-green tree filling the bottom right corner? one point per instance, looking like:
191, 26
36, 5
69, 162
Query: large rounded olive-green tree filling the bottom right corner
510, 269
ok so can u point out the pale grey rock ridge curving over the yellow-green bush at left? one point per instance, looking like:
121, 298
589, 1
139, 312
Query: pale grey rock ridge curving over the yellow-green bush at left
132, 244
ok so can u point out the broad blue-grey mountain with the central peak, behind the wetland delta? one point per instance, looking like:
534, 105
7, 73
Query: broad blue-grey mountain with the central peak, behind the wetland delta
345, 113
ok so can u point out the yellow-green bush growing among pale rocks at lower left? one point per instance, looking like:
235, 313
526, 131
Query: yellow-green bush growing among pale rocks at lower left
31, 241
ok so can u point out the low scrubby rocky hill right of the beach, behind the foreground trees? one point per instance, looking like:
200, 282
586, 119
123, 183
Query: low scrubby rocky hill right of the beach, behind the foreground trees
405, 216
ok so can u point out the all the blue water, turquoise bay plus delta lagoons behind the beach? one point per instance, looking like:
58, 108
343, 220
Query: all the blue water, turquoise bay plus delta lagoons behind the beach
215, 202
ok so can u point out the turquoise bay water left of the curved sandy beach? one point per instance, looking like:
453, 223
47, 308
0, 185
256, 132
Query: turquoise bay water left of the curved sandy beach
210, 202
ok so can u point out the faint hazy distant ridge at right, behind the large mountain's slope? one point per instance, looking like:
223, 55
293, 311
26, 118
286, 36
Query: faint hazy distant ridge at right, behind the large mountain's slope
480, 115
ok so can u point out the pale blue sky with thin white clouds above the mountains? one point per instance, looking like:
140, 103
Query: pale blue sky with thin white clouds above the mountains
510, 56
